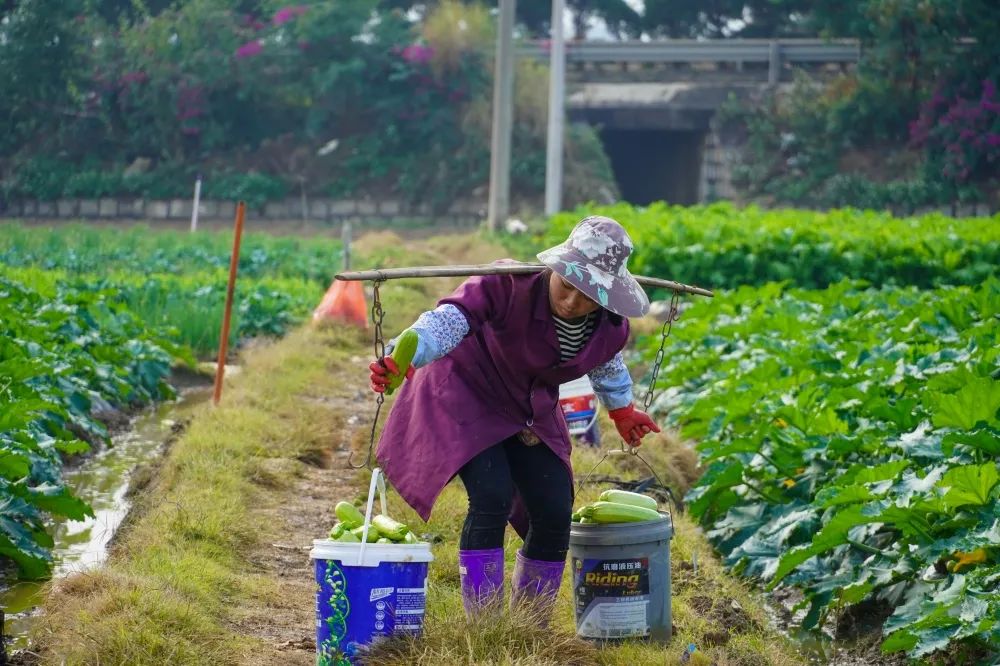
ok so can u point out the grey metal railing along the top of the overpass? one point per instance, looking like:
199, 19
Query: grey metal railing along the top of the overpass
741, 51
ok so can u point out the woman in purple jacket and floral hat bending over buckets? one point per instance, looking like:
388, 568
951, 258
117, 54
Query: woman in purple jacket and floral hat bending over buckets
486, 405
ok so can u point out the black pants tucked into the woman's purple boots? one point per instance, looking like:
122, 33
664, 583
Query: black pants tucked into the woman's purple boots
544, 484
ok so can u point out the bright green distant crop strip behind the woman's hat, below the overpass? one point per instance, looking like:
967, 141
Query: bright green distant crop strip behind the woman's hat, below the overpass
723, 246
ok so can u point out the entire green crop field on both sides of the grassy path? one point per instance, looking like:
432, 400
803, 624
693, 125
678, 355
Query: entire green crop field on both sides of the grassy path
842, 388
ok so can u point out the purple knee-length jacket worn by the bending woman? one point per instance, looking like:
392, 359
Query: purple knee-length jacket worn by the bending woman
503, 377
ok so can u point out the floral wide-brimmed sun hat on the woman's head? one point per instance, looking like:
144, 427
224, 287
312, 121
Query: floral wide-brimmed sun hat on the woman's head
594, 259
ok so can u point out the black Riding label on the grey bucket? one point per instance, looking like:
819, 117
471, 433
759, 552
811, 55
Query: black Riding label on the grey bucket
612, 597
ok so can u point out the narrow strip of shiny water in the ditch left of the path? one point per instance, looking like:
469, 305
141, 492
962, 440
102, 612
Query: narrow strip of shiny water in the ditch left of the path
102, 480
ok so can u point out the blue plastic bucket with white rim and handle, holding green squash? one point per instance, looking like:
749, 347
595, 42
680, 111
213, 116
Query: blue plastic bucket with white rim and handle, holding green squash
366, 592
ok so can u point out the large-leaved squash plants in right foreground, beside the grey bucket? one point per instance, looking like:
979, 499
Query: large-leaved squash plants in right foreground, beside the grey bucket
851, 439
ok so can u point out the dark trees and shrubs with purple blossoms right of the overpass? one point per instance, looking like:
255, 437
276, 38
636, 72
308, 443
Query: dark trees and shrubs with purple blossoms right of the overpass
922, 105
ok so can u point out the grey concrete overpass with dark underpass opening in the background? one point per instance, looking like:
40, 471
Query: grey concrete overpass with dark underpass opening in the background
654, 103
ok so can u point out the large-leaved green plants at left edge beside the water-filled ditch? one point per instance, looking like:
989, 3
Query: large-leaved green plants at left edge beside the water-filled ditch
63, 353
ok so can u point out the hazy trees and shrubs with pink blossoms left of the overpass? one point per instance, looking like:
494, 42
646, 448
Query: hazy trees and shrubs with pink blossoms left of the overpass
349, 97
